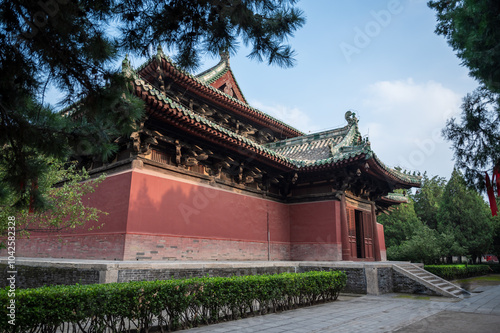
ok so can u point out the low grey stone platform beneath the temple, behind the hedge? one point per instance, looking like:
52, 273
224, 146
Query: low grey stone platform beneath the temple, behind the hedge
372, 278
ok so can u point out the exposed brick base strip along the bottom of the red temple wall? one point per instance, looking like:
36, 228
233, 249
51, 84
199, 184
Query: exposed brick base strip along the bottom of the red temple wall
161, 247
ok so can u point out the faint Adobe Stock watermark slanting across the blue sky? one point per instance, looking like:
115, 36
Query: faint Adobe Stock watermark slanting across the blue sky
364, 36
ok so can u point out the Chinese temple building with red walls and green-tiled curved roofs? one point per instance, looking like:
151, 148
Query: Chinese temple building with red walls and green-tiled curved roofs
208, 177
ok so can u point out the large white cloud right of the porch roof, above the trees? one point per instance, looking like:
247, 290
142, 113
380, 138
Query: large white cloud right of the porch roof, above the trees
405, 119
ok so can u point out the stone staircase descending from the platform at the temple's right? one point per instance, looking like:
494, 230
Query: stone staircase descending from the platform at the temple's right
431, 281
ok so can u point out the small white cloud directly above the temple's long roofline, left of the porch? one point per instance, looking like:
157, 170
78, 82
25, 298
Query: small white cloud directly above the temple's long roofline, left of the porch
290, 115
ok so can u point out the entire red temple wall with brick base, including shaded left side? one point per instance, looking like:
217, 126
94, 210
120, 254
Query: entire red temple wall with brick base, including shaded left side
153, 216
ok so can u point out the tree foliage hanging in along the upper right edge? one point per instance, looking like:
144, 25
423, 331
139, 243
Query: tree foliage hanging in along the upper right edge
471, 29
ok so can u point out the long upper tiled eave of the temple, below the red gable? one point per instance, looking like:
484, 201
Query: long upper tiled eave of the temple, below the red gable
190, 82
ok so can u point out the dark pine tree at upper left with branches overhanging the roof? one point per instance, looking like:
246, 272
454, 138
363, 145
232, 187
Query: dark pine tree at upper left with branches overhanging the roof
74, 45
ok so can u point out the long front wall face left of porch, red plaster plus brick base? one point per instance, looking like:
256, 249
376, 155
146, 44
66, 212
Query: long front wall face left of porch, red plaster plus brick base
171, 219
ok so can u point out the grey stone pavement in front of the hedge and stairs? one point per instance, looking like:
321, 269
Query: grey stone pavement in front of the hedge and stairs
385, 313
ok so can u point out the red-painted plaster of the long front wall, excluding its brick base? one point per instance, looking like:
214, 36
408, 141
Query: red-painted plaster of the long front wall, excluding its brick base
161, 205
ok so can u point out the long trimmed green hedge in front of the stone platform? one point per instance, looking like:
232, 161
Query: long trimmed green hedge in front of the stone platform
167, 305
